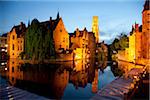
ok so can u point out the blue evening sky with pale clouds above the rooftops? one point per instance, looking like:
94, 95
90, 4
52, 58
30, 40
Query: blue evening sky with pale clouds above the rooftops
115, 16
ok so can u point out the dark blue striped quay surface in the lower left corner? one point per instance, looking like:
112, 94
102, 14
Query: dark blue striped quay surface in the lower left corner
8, 92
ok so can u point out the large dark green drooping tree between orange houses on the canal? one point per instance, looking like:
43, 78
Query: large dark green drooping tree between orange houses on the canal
38, 41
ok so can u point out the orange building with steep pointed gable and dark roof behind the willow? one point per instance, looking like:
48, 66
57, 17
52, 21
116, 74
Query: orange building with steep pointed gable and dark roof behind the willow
59, 33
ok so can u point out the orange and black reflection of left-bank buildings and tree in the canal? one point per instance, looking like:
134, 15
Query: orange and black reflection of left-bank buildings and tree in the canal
51, 80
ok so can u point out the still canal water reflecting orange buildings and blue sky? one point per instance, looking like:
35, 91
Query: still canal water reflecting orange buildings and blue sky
79, 79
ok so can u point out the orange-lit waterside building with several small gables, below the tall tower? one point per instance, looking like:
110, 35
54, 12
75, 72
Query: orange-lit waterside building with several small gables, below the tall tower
82, 43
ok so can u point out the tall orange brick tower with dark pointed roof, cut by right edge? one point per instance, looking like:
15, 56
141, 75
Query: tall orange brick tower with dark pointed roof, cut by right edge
146, 30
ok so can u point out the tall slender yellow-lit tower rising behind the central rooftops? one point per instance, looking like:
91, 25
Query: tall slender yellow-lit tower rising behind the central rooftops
95, 28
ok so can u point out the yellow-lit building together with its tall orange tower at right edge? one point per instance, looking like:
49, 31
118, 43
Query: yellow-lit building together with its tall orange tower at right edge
139, 39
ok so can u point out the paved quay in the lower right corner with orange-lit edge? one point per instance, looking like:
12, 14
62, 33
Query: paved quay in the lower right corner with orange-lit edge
122, 86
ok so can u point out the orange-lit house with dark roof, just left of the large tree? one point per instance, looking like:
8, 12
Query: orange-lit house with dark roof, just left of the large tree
15, 40
